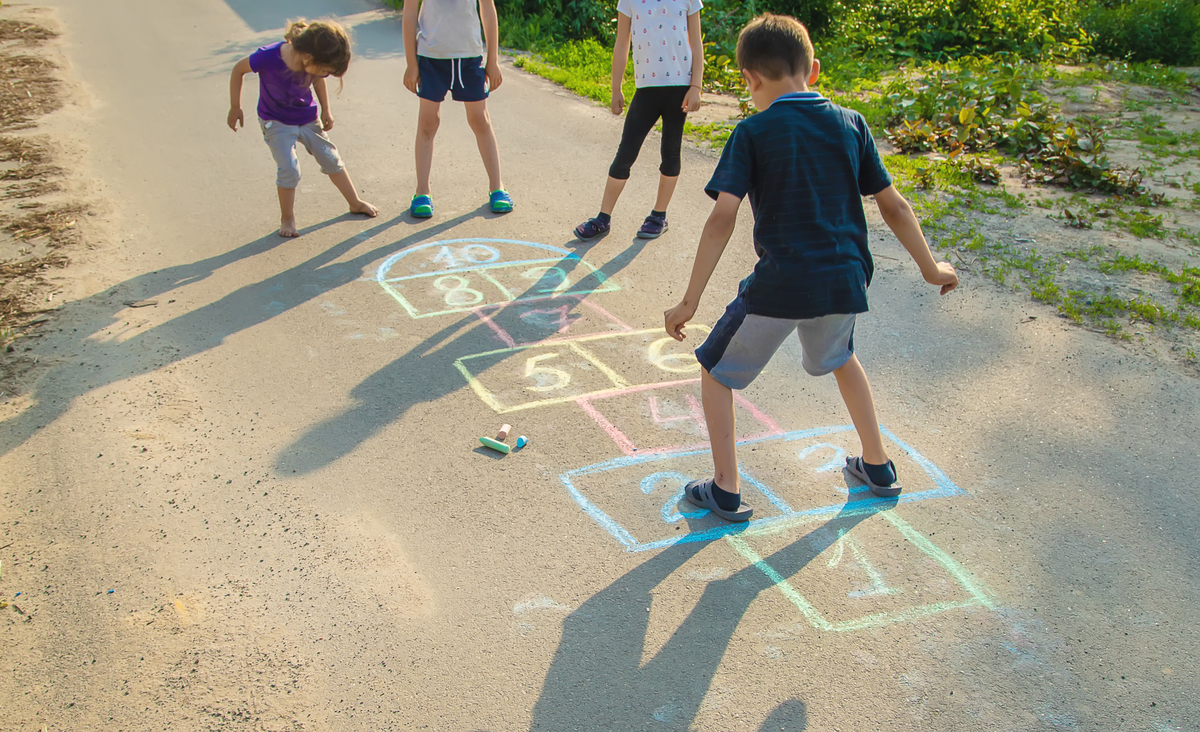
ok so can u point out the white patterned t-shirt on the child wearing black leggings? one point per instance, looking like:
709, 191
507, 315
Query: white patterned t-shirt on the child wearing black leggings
659, 40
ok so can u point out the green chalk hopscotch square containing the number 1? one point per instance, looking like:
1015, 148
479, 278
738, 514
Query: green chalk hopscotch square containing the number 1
879, 572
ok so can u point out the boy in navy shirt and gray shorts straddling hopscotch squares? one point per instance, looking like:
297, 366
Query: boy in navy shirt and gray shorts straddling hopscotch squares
806, 164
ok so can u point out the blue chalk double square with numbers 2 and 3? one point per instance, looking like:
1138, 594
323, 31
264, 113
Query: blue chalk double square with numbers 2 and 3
790, 479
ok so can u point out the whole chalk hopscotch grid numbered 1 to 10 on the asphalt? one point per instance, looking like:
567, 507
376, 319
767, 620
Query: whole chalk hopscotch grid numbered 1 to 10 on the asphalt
515, 286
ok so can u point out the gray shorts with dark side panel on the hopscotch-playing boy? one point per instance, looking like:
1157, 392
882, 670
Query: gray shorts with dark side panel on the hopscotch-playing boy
741, 345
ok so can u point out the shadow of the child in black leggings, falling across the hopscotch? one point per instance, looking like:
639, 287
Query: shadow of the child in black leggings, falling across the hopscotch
427, 373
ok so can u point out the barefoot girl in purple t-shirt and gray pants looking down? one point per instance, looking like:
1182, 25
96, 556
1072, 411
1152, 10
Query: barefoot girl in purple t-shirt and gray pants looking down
289, 74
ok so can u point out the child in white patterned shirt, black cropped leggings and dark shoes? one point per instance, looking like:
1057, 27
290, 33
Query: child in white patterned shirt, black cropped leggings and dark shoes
669, 70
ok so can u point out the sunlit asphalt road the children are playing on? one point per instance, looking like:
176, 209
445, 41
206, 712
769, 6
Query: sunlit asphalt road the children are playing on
261, 502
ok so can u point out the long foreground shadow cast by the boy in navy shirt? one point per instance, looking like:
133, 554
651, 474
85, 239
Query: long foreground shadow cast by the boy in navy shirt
598, 681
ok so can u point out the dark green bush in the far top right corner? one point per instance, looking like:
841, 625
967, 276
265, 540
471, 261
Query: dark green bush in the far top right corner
1147, 31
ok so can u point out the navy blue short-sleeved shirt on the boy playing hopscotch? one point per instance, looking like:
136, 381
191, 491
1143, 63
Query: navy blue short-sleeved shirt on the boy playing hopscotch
806, 164
